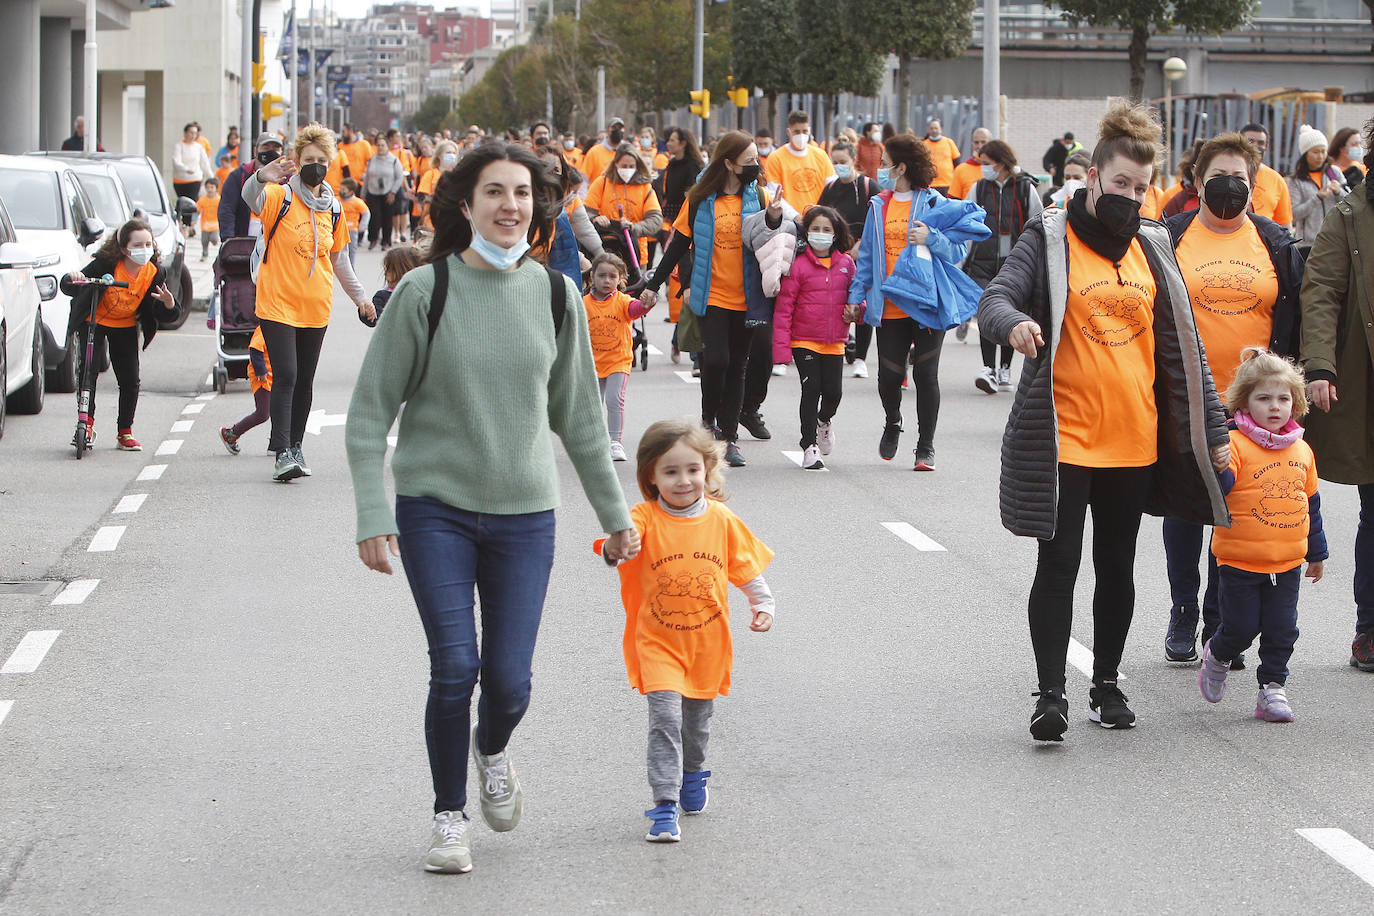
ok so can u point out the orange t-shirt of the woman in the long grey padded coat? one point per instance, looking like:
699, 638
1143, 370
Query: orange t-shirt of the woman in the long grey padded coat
1104, 367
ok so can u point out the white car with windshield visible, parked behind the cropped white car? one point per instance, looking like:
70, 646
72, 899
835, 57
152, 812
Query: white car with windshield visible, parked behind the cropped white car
53, 216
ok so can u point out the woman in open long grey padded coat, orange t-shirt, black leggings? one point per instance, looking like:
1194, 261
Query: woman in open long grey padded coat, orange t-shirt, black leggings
1129, 420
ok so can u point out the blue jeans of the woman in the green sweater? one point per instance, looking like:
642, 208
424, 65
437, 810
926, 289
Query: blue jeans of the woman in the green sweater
508, 558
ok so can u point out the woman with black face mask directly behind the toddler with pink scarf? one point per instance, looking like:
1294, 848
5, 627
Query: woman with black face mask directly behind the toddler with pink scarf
1244, 274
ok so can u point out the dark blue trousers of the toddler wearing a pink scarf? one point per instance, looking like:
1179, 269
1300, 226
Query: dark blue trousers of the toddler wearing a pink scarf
1258, 605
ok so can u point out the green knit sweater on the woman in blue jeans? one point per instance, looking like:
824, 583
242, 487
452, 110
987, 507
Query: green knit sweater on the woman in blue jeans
477, 422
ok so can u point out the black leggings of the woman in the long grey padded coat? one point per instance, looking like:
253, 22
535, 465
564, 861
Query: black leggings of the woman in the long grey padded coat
1118, 501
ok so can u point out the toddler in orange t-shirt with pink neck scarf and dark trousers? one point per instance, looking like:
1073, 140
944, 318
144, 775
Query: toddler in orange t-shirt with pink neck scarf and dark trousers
1276, 525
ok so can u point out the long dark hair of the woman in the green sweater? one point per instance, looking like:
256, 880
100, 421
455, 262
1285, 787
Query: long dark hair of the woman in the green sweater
453, 231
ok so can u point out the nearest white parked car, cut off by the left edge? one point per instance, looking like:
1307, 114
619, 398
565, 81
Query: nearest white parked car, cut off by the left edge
23, 365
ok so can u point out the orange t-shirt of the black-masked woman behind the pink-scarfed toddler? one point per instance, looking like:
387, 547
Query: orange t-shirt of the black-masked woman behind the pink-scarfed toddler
1233, 288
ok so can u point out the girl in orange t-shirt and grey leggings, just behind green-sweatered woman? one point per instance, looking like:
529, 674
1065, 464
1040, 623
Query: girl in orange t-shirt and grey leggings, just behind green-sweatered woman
609, 317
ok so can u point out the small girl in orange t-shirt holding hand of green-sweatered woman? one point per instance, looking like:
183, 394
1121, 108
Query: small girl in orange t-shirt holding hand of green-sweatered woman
677, 595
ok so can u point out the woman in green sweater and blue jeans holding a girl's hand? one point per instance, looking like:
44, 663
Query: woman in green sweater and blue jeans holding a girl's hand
476, 483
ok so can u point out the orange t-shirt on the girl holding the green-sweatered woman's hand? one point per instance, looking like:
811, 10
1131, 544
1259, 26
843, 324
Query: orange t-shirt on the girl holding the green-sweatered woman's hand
677, 595
